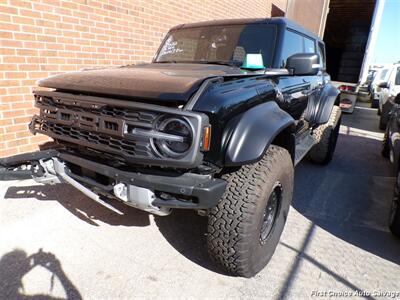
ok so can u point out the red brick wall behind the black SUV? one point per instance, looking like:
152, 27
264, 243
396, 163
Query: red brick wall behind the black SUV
43, 37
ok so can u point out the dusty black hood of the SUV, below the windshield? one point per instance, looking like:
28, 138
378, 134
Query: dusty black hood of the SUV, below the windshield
163, 82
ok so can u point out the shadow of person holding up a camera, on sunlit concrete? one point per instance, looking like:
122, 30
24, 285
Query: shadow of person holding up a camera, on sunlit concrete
16, 264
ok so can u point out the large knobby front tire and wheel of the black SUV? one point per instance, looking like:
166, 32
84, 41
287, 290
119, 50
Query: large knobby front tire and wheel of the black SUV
245, 227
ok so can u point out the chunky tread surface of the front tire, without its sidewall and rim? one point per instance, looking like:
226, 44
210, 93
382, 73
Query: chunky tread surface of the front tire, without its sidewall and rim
229, 220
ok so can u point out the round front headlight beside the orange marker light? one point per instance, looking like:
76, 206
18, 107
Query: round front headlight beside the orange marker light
177, 139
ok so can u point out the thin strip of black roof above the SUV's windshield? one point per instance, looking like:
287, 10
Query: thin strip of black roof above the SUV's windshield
284, 22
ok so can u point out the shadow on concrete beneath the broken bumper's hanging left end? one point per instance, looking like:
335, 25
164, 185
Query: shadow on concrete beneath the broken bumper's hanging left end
80, 206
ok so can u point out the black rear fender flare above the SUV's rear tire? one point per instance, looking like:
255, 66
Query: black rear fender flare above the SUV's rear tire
320, 105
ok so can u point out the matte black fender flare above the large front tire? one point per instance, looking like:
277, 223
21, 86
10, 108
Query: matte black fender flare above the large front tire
254, 132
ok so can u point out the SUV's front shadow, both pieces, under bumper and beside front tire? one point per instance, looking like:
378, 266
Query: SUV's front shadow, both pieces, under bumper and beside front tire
185, 230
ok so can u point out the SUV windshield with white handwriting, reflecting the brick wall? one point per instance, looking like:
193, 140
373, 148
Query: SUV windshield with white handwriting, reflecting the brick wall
218, 44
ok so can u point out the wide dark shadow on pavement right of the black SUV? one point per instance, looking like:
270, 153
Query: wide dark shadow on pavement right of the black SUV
351, 197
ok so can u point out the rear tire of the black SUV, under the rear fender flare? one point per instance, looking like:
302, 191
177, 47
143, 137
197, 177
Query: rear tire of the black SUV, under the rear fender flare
326, 136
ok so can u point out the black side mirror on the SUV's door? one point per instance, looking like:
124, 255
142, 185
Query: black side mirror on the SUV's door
303, 64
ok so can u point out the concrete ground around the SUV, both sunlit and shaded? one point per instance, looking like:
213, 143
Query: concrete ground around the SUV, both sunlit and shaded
56, 243
